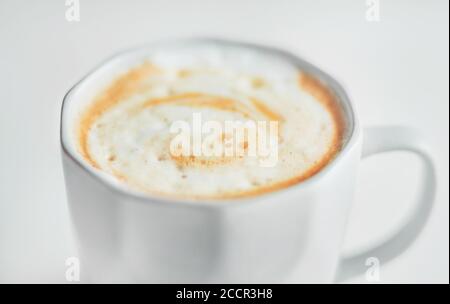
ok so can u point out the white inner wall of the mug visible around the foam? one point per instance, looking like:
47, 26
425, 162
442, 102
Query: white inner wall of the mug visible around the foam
83, 92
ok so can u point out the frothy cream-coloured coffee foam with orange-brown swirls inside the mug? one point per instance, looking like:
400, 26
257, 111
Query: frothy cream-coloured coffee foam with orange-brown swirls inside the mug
125, 130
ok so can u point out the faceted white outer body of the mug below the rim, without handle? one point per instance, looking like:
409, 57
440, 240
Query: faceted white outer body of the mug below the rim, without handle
289, 236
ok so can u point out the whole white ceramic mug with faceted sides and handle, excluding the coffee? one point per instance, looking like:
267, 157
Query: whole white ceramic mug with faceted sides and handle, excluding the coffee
124, 236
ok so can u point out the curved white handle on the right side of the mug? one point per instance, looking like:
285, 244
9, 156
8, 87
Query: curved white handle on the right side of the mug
384, 139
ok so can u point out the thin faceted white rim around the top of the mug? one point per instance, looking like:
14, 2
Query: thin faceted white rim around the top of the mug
120, 188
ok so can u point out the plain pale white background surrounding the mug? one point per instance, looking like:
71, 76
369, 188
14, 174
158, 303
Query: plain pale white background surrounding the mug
395, 70
